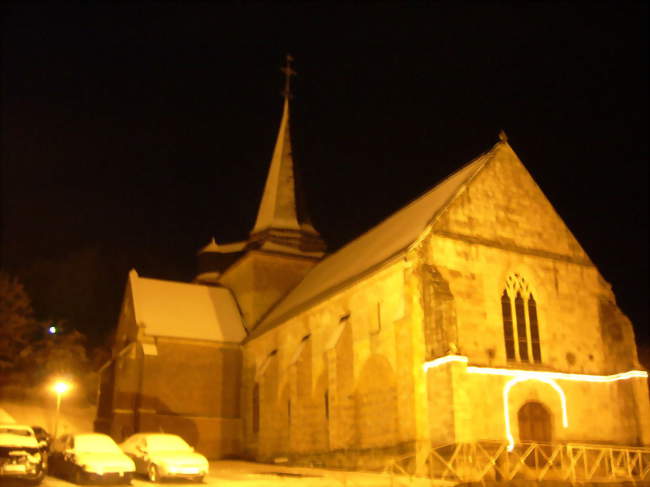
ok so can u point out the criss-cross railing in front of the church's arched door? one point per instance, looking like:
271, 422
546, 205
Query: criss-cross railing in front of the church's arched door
485, 461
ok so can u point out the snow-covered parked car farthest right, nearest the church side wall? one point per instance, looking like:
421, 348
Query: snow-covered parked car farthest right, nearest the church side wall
162, 455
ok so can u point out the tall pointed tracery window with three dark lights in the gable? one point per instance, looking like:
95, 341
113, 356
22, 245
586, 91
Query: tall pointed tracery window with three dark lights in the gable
520, 326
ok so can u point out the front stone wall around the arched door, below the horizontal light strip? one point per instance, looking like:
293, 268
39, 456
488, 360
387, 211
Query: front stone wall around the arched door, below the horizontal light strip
600, 413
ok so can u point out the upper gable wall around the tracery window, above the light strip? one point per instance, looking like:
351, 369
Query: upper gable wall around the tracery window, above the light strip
503, 224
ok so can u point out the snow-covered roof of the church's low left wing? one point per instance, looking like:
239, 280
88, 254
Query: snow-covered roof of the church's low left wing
181, 310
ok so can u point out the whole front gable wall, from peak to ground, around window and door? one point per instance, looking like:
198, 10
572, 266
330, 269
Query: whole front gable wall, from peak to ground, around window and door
502, 224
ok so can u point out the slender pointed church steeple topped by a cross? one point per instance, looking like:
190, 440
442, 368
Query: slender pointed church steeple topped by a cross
281, 217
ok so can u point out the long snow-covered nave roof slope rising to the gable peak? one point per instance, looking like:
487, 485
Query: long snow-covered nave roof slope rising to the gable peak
375, 246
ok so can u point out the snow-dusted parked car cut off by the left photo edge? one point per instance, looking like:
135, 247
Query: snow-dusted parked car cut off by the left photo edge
20, 454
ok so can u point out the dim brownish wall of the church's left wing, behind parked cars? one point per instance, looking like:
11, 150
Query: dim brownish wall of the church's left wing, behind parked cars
186, 387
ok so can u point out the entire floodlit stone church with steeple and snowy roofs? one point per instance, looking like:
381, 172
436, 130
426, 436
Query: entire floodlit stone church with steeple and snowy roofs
470, 316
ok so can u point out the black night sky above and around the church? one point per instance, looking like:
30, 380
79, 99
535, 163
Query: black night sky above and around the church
146, 129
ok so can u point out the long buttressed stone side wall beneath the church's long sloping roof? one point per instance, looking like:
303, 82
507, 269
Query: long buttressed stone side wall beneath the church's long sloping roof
344, 368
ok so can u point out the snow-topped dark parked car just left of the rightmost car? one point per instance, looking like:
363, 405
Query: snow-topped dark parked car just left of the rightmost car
90, 457
